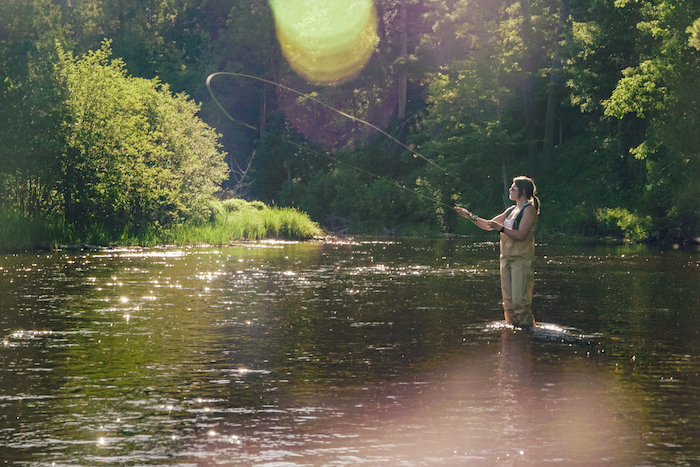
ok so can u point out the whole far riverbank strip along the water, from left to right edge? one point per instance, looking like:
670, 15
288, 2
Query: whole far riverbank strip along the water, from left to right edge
236, 220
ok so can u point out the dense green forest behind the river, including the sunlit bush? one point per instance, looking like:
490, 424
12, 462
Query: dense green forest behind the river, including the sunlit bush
597, 100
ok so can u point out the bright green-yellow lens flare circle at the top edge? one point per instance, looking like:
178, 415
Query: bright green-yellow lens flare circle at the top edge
326, 41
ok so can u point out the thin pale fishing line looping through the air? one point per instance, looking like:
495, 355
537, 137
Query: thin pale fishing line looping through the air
351, 117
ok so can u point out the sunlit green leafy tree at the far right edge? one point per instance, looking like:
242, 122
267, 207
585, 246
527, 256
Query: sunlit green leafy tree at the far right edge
662, 90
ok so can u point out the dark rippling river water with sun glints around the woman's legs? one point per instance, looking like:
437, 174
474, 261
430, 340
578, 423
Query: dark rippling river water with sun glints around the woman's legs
353, 353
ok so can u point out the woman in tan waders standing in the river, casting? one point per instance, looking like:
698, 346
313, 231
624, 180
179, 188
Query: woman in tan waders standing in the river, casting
517, 225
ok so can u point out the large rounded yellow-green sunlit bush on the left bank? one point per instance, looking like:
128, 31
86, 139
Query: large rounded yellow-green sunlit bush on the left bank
104, 151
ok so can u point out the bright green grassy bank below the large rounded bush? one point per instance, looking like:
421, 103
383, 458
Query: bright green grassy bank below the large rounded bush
226, 221
